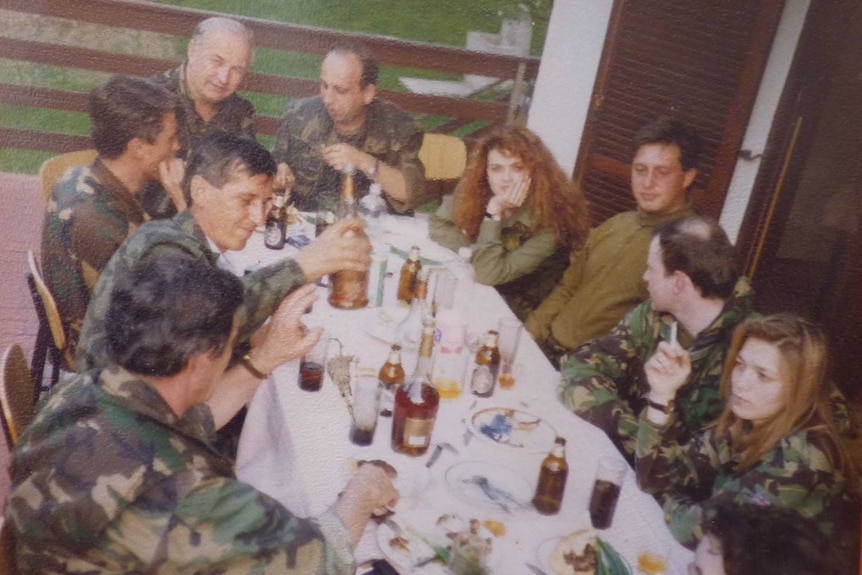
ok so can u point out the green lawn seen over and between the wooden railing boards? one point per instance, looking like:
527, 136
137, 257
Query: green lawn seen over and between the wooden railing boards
433, 21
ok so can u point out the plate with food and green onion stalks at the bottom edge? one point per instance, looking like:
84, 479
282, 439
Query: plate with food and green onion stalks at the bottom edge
581, 552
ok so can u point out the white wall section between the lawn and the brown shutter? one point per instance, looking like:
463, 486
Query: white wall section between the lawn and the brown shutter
570, 61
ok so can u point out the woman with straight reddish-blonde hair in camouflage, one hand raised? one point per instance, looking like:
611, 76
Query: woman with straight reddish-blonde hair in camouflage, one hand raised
774, 443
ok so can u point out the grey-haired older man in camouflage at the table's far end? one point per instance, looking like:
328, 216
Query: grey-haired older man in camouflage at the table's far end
218, 56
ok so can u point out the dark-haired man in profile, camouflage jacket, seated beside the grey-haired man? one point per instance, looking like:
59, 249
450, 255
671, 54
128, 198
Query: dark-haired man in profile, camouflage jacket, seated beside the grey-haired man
93, 208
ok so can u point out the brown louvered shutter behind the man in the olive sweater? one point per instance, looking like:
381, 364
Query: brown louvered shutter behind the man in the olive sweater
698, 60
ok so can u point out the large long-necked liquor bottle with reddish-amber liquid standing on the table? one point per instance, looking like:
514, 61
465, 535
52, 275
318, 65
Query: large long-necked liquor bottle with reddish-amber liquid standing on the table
416, 402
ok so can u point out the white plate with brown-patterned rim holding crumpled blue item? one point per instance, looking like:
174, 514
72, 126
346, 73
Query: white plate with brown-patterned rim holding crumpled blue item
512, 428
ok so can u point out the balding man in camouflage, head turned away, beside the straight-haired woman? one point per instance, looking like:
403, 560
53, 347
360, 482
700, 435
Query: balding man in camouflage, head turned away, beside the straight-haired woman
696, 295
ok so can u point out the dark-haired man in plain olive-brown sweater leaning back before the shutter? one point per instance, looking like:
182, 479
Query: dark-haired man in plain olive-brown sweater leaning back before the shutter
603, 280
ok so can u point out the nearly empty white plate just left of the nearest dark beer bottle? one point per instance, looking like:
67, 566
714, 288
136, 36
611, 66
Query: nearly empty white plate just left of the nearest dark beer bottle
460, 476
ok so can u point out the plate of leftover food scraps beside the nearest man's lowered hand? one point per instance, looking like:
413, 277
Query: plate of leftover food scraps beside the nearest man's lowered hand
420, 541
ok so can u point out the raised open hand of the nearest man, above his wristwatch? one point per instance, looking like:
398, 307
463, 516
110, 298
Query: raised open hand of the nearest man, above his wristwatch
285, 337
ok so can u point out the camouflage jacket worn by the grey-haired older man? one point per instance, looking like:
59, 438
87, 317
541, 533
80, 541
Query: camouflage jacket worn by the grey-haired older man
235, 114
